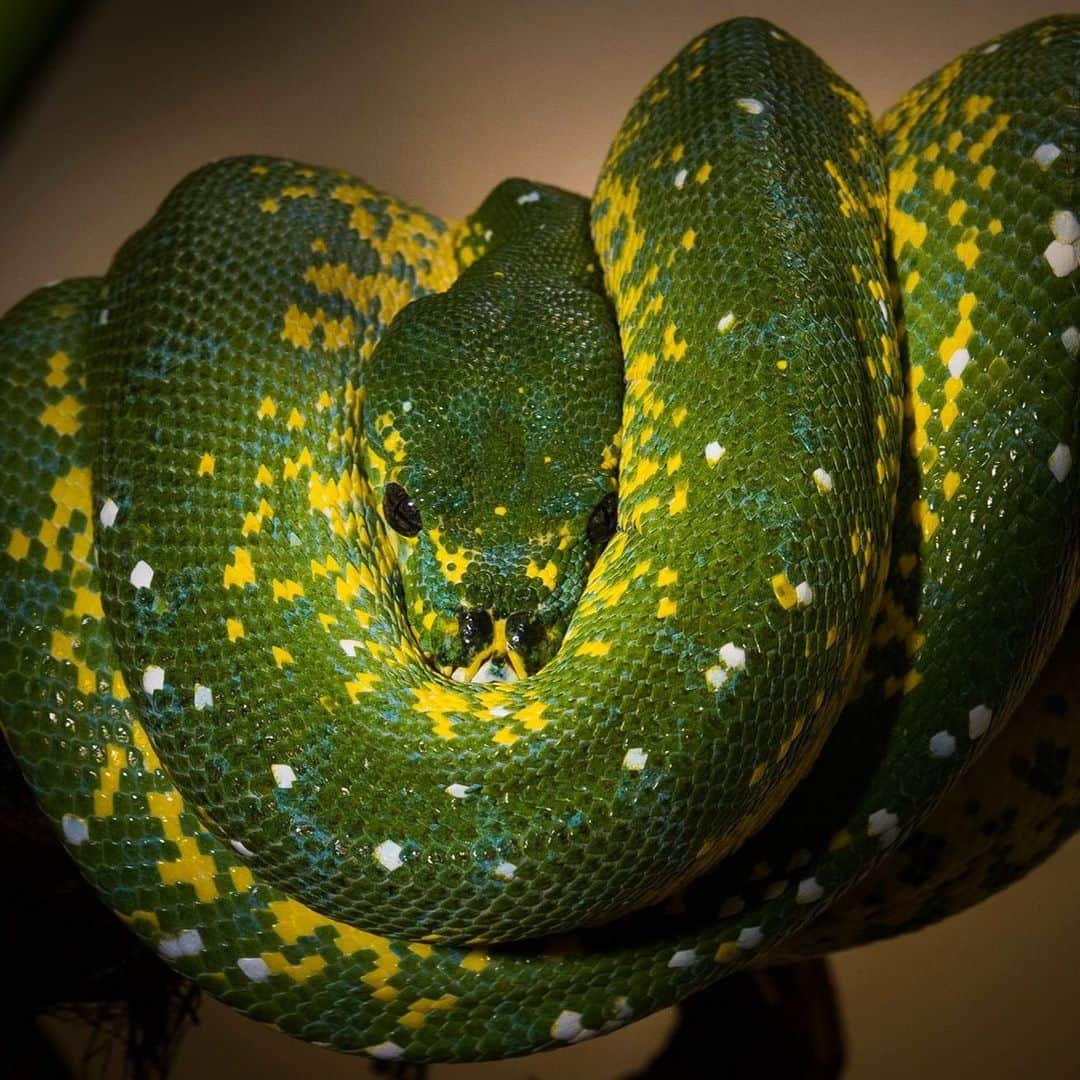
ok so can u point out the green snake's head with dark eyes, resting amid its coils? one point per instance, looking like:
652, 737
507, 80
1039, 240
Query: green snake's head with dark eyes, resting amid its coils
491, 423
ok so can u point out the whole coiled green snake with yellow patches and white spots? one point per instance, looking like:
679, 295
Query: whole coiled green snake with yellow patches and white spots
452, 640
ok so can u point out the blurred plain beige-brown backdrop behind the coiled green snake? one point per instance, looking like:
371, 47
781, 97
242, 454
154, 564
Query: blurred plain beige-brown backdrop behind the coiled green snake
437, 103
